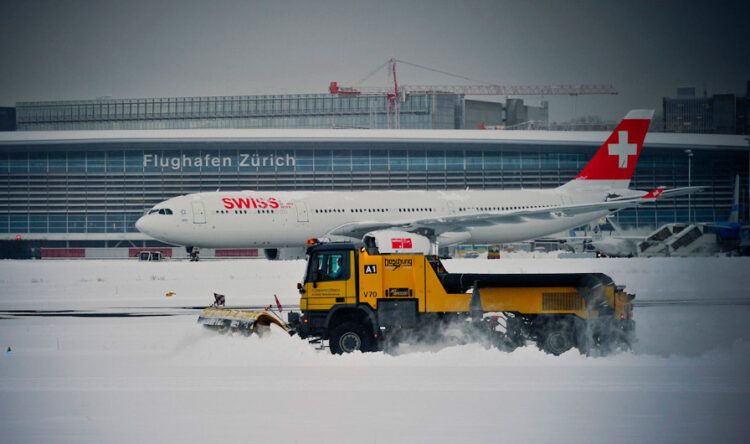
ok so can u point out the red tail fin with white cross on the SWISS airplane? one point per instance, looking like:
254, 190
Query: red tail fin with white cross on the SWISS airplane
613, 165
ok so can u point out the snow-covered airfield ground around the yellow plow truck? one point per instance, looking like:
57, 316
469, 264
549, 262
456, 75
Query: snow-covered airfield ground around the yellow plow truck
165, 379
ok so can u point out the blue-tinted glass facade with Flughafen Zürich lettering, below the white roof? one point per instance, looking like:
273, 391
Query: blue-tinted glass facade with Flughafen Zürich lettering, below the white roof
103, 187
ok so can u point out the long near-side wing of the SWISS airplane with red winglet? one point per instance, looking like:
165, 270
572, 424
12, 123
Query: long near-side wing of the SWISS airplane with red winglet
460, 222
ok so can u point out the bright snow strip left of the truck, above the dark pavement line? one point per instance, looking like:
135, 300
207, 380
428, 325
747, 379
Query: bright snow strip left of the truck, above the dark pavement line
96, 284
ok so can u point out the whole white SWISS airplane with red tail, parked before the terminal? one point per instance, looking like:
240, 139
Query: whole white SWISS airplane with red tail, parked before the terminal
282, 219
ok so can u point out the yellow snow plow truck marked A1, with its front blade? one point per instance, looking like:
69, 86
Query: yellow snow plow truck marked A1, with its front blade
361, 299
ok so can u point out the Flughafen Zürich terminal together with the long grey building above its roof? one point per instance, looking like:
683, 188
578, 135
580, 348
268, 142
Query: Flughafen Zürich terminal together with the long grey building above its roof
78, 174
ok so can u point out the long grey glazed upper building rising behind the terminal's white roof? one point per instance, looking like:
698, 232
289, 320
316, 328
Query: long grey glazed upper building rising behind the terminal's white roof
267, 111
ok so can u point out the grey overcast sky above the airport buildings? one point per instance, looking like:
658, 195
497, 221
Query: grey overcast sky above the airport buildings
58, 50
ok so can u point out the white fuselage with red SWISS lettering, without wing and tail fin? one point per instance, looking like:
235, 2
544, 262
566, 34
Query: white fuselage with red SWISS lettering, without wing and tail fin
256, 219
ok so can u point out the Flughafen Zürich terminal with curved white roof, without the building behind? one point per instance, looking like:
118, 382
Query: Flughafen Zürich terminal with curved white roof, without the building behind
87, 188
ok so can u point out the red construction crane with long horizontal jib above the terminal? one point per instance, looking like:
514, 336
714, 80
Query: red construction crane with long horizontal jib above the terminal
397, 93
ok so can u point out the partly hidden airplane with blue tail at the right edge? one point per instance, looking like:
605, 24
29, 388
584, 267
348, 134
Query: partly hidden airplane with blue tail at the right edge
728, 234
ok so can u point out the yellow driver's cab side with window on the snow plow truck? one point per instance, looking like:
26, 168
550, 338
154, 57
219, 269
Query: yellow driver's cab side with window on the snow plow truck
330, 280
